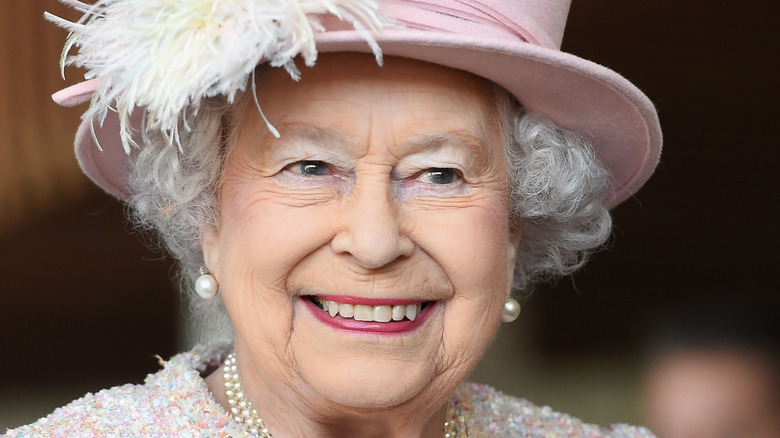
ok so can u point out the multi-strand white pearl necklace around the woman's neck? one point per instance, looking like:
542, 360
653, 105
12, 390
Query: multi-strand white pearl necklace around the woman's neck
247, 416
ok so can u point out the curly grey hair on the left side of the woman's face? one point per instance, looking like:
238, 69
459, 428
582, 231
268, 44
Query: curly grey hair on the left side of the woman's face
176, 197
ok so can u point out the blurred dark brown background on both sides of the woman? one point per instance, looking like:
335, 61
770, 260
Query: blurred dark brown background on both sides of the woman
88, 304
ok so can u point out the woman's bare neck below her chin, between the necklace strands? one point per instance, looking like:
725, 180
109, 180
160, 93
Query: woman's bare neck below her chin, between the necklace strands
288, 413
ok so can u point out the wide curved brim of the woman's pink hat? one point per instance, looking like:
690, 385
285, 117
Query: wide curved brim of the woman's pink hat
615, 116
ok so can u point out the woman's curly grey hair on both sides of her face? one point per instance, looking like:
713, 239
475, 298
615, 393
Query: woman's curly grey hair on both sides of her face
556, 185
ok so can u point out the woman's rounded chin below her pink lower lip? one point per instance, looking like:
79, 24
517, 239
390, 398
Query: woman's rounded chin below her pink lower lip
366, 371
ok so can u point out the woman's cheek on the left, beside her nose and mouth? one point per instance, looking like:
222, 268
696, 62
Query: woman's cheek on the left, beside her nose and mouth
261, 240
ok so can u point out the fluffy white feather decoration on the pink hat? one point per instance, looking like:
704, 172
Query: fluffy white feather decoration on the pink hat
166, 55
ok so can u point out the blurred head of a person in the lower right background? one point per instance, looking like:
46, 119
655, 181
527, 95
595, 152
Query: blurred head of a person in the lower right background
714, 377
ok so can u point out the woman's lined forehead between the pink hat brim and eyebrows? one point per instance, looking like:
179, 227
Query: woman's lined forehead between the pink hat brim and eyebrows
344, 89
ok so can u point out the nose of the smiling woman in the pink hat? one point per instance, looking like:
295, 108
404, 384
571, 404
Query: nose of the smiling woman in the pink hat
371, 231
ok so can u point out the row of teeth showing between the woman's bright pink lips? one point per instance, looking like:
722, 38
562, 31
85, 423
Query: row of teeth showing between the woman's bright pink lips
368, 313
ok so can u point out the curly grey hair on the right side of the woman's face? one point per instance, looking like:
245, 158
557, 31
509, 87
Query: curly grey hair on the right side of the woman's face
556, 191
